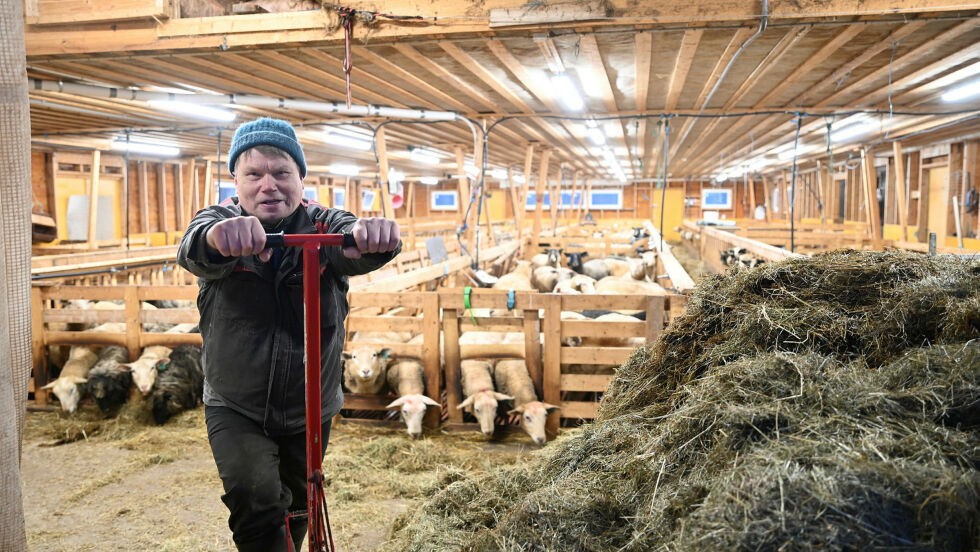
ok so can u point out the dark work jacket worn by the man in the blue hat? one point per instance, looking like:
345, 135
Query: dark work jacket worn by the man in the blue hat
252, 318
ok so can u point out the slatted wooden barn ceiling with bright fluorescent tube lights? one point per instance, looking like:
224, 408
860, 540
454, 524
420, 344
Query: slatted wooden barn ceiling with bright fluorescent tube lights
728, 78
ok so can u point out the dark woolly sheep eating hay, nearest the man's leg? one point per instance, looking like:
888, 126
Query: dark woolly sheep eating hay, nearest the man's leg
180, 385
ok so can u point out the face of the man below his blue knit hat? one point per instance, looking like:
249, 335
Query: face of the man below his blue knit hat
268, 186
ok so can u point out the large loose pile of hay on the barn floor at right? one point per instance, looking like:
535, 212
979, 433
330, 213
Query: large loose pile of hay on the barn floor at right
830, 403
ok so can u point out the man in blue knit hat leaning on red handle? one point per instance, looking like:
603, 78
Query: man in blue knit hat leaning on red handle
251, 305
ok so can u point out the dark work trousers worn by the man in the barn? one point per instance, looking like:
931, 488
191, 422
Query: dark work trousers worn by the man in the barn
263, 477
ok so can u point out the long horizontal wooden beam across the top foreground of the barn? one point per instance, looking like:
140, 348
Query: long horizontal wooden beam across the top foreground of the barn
454, 18
